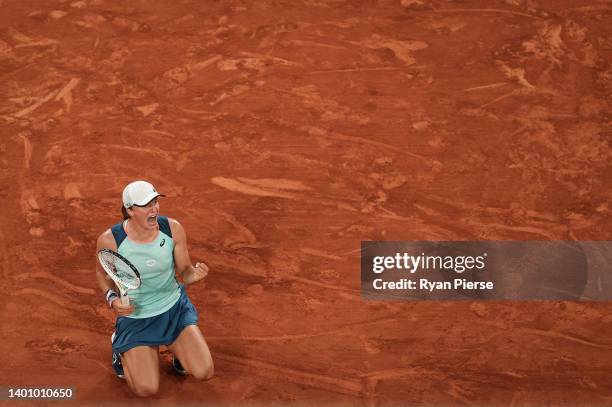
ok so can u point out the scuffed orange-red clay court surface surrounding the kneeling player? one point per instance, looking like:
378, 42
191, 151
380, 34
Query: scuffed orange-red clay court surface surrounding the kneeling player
284, 133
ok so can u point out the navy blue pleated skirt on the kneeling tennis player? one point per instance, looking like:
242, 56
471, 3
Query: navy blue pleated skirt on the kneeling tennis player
162, 329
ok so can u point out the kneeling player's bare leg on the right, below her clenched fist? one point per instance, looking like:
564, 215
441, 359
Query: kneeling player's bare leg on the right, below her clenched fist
192, 351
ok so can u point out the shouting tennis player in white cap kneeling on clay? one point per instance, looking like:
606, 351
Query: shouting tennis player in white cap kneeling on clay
159, 312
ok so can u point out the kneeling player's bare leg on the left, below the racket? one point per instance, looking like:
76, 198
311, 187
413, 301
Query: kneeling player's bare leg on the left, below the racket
141, 367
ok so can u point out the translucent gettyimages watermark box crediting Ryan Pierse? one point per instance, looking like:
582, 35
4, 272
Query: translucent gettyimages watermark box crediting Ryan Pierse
503, 270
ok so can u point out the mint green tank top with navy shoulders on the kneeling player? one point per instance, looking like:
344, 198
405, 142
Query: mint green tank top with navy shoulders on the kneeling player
158, 290
